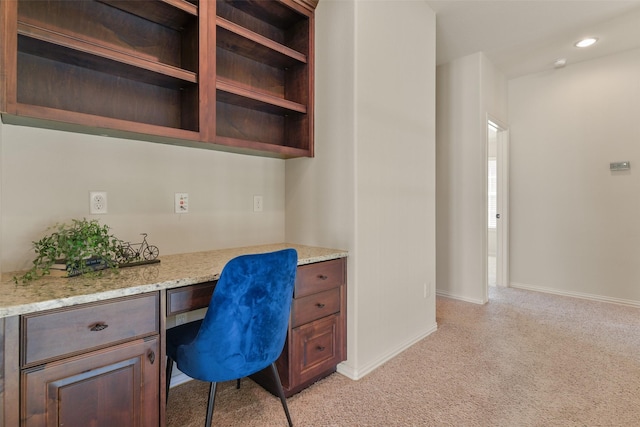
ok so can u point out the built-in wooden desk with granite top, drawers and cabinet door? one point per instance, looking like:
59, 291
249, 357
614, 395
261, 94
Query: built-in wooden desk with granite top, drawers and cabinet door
115, 328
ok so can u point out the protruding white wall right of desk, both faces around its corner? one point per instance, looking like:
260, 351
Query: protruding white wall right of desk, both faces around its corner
371, 187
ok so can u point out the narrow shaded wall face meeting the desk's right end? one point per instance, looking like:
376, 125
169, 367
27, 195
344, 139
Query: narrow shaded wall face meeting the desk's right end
320, 192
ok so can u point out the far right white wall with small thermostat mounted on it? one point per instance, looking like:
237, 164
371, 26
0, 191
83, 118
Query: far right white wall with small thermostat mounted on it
575, 226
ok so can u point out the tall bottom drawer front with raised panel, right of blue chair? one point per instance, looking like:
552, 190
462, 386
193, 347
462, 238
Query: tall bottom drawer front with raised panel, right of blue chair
316, 348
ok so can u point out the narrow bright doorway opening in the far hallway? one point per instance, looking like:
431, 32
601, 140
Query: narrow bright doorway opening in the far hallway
497, 204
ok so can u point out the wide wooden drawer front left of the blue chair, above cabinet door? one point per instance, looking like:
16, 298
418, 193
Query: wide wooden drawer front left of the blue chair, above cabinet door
54, 334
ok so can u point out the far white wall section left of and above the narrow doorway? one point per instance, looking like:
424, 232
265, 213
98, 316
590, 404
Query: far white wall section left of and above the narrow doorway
468, 89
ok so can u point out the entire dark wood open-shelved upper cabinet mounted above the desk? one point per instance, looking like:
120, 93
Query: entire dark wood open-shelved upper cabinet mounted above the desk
229, 74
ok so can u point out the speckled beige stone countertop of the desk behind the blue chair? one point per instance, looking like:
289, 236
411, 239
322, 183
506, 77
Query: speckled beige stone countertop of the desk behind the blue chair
171, 272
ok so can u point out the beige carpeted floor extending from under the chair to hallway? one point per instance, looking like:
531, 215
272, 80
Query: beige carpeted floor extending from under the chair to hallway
523, 359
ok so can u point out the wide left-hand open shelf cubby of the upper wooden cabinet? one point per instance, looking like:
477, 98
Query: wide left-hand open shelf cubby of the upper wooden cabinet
98, 58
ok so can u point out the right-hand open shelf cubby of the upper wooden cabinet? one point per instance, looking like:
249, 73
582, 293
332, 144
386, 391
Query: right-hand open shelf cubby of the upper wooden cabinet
264, 75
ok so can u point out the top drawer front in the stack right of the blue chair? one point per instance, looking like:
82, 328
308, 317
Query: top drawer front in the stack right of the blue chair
313, 278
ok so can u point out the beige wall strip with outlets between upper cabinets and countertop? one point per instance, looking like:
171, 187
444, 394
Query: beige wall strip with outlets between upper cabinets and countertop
47, 176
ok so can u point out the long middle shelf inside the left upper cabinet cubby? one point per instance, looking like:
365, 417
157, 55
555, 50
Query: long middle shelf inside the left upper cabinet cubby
60, 47
